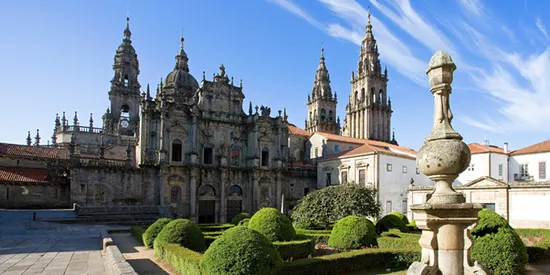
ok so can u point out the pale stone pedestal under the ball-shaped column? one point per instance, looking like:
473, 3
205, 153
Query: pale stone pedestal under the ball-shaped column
446, 241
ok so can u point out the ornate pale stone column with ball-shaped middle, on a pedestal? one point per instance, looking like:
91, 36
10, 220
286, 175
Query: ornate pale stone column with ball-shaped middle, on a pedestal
445, 217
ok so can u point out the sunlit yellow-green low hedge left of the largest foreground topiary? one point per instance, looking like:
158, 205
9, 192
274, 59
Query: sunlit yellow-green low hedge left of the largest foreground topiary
183, 260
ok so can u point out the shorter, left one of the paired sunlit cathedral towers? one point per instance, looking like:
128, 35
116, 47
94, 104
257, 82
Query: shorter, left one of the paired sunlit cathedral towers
321, 104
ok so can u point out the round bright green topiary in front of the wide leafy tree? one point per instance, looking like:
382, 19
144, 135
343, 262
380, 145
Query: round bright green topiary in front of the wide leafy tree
352, 232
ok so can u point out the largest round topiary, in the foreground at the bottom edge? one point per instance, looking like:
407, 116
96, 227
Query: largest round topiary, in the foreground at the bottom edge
241, 251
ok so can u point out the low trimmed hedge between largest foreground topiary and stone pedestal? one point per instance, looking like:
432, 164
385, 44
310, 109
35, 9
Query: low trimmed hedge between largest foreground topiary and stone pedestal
355, 260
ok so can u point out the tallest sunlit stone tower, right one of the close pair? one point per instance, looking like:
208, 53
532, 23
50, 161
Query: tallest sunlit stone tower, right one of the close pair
368, 114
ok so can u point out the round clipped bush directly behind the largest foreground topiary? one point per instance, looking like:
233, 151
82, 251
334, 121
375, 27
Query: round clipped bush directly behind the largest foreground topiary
275, 226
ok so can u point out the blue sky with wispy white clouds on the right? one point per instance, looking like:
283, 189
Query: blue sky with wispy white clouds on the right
57, 56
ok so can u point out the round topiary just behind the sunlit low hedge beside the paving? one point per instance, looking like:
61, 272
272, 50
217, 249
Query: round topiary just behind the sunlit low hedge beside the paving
183, 232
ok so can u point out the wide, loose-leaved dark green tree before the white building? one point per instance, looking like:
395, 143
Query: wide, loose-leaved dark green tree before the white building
318, 208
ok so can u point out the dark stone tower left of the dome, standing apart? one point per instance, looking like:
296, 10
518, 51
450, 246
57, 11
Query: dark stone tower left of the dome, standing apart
123, 116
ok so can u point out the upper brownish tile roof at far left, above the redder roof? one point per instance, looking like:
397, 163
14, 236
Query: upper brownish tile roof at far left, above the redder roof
16, 150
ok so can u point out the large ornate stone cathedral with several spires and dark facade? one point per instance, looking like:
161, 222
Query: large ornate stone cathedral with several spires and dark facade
190, 146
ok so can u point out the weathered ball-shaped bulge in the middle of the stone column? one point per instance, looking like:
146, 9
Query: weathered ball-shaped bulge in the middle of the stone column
443, 157
